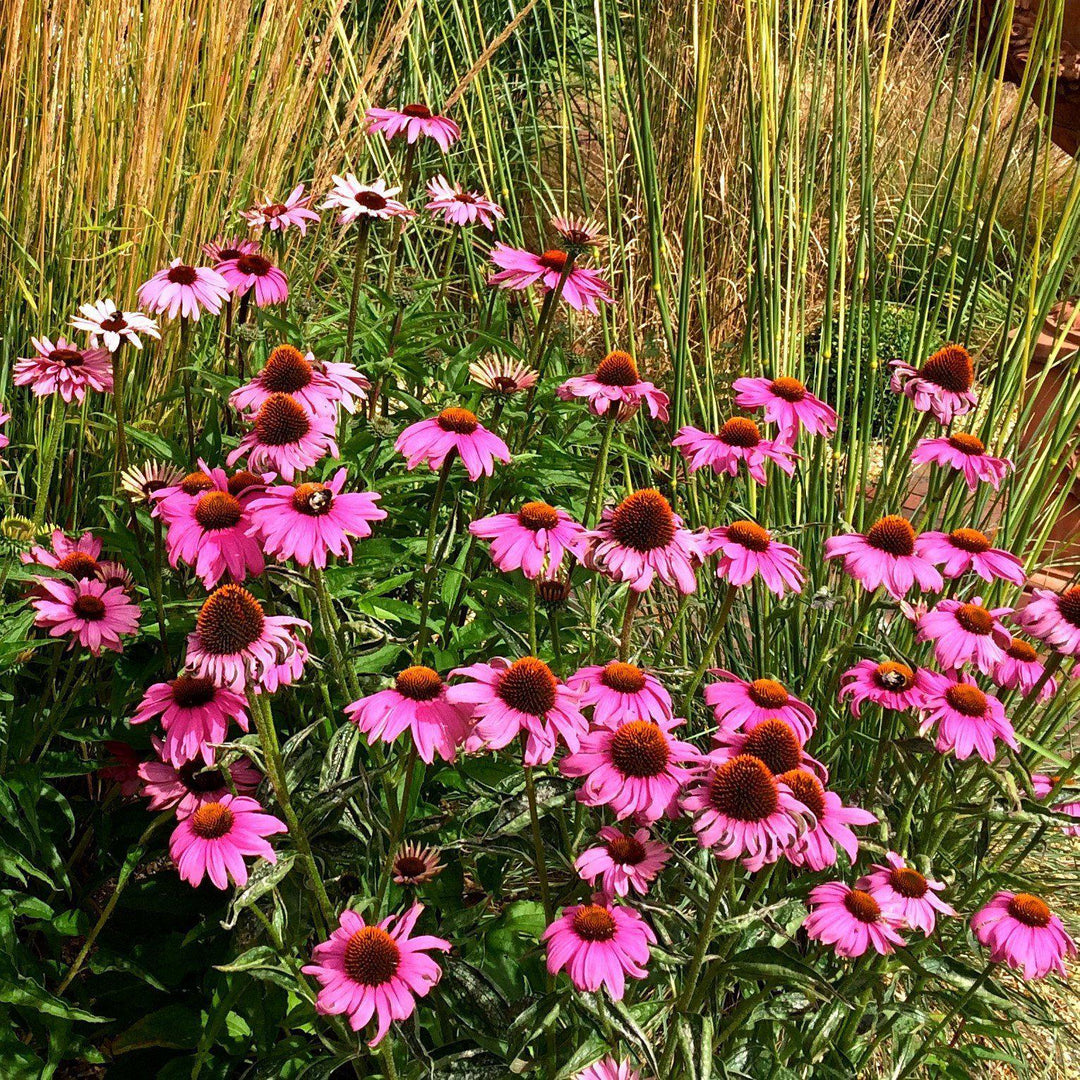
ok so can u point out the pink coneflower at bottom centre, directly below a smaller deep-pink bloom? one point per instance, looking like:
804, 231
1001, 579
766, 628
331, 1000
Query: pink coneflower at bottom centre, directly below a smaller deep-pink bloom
600, 944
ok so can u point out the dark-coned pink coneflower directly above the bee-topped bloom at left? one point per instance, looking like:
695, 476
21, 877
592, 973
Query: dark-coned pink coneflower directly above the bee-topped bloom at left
287, 438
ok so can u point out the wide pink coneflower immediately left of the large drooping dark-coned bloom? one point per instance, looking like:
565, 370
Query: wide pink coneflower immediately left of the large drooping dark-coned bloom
637, 769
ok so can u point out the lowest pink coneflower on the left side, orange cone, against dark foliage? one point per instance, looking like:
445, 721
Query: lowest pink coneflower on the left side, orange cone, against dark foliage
213, 841
